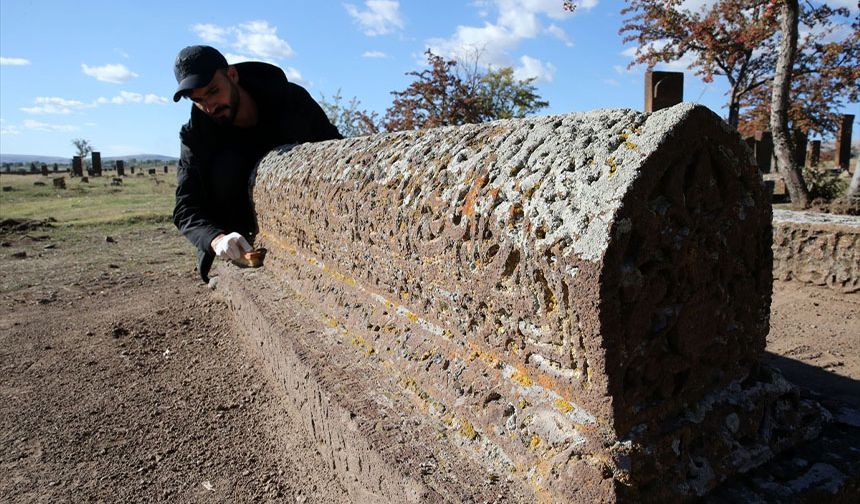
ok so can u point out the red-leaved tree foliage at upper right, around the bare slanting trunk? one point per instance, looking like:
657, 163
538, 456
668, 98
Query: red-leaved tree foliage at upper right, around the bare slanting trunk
736, 39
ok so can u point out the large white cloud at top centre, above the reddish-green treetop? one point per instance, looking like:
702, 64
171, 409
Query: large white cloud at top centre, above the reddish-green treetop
516, 21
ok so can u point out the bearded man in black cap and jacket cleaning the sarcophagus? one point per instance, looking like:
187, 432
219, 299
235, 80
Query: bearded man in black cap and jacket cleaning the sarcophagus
240, 113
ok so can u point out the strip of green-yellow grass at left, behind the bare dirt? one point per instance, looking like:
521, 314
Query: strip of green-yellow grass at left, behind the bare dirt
140, 200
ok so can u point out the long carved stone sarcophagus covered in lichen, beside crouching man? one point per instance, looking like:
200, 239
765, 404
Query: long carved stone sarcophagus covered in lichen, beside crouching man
567, 308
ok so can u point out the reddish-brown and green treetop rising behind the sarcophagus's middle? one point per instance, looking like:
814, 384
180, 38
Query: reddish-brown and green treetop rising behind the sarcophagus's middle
452, 93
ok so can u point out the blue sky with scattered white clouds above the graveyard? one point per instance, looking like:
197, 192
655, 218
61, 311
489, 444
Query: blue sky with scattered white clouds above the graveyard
102, 70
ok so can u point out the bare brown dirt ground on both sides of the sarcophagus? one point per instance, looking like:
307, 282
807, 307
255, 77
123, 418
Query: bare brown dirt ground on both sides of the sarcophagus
123, 380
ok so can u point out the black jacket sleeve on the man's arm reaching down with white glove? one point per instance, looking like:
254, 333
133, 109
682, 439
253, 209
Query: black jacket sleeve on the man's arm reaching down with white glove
189, 214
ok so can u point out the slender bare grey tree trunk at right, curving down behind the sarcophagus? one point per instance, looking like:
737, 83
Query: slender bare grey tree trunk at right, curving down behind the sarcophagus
782, 147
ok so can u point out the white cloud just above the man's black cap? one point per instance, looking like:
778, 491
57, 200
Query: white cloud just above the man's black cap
254, 40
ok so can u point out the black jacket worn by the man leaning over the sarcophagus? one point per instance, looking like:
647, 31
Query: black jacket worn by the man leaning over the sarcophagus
216, 161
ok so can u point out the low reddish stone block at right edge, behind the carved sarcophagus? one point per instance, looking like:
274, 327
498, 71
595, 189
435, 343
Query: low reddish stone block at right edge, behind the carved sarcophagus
822, 249
